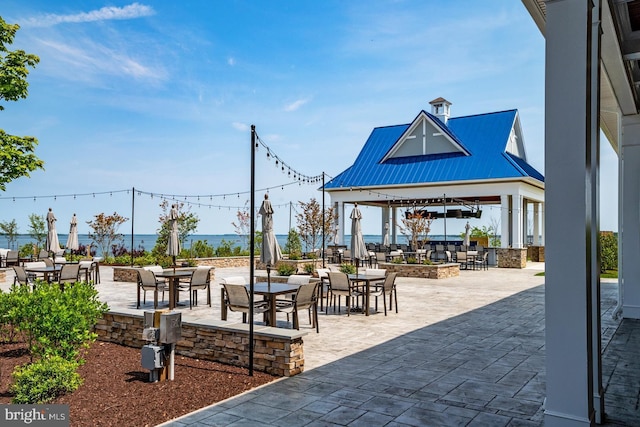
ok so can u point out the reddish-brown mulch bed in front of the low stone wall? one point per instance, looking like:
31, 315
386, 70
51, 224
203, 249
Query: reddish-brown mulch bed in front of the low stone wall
117, 391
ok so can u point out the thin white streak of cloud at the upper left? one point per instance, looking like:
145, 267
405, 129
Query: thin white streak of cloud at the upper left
132, 11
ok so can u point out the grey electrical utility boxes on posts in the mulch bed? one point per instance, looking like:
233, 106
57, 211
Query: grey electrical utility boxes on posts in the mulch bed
163, 329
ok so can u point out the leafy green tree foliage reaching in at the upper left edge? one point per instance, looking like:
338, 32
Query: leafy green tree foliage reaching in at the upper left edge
17, 158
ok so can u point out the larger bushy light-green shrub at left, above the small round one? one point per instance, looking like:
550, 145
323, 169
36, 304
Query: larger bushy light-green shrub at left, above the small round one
58, 323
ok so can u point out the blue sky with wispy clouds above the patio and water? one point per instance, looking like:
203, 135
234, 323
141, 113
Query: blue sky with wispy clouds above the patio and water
160, 96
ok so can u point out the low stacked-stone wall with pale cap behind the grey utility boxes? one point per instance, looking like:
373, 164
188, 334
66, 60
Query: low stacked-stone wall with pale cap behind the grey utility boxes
276, 351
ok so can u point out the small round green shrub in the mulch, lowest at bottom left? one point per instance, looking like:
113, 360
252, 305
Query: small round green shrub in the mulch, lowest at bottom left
44, 380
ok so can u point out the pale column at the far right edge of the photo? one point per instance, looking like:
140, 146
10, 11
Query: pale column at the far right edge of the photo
630, 226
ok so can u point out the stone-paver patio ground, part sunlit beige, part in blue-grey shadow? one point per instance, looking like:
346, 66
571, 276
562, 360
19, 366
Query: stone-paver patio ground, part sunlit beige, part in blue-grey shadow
460, 351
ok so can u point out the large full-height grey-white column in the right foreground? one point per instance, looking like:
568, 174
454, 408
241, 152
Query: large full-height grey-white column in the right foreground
568, 192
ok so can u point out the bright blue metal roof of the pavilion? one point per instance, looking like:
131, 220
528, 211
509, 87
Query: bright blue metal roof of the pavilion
484, 136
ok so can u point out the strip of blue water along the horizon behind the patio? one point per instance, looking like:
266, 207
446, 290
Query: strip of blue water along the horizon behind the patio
148, 241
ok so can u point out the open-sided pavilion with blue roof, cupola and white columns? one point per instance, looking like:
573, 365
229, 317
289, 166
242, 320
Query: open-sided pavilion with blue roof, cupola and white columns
448, 166
